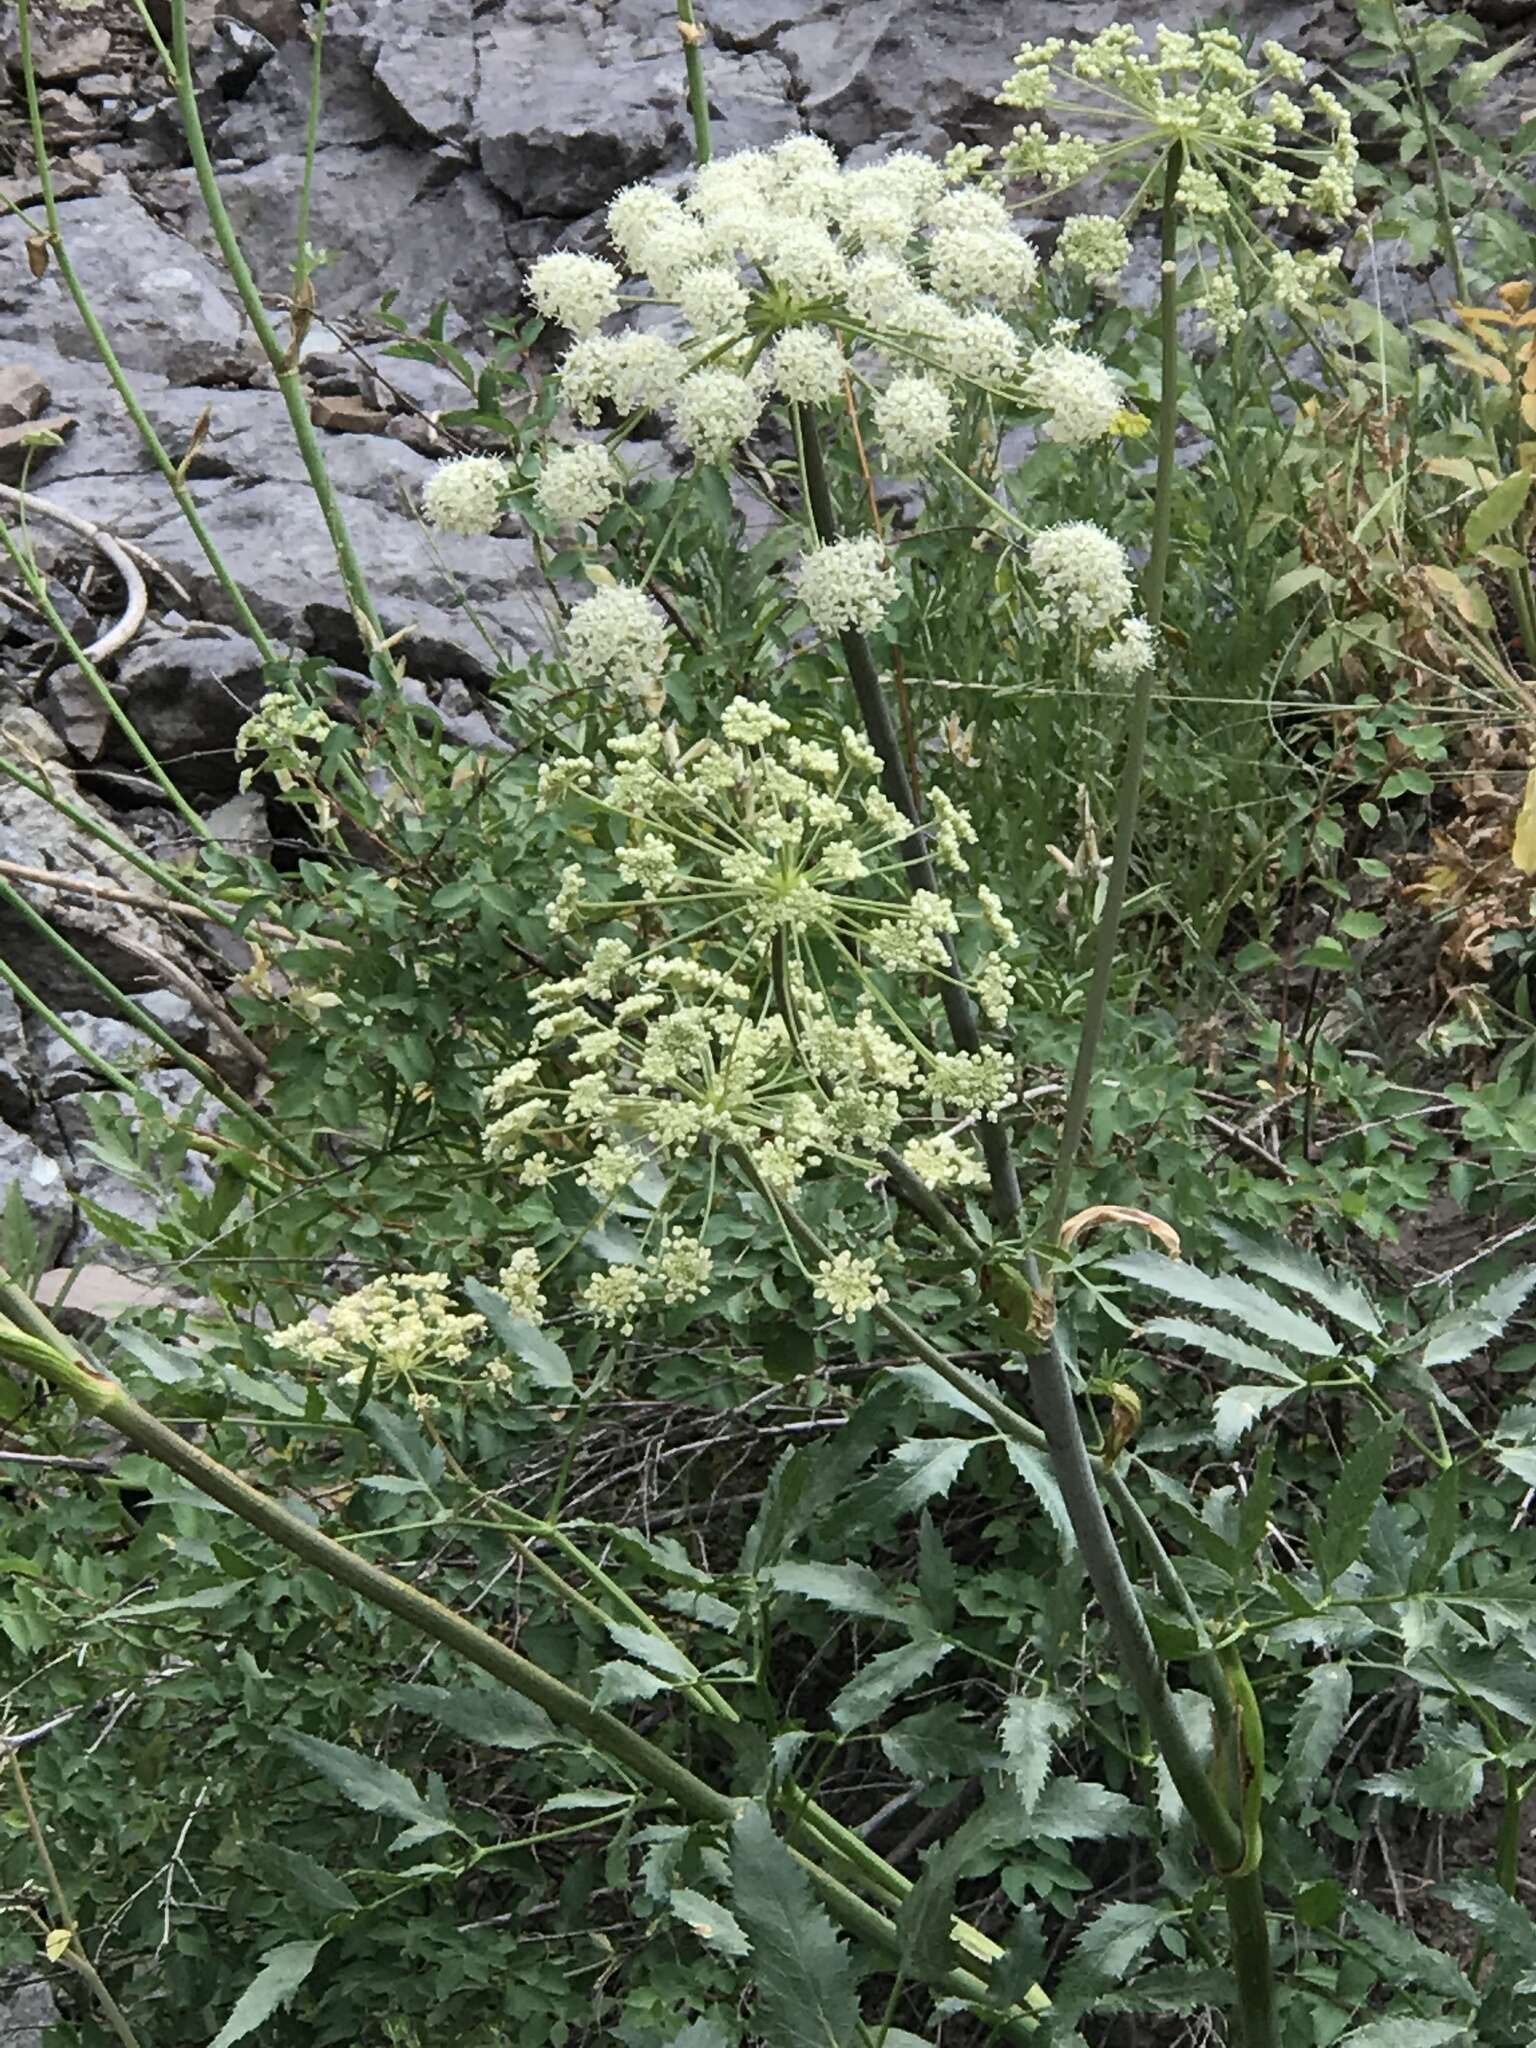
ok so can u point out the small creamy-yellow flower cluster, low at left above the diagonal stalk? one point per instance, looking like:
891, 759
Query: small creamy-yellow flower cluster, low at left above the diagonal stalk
398, 1328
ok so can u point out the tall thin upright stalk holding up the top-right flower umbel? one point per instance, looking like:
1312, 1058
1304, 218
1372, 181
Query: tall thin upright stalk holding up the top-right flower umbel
1107, 939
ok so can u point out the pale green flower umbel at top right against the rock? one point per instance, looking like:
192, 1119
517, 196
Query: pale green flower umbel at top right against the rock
1246, 140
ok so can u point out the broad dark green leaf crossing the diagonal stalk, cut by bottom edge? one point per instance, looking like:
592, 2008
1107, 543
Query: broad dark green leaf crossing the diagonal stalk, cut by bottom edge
804, 1975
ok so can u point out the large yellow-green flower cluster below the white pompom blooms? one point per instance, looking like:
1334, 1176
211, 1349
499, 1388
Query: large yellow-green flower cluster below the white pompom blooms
740, 966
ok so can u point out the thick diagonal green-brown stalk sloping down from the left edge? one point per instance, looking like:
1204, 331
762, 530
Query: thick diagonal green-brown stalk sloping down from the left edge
32, 1340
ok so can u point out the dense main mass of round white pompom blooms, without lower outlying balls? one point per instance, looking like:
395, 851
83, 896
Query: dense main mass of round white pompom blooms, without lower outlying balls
798, 282
